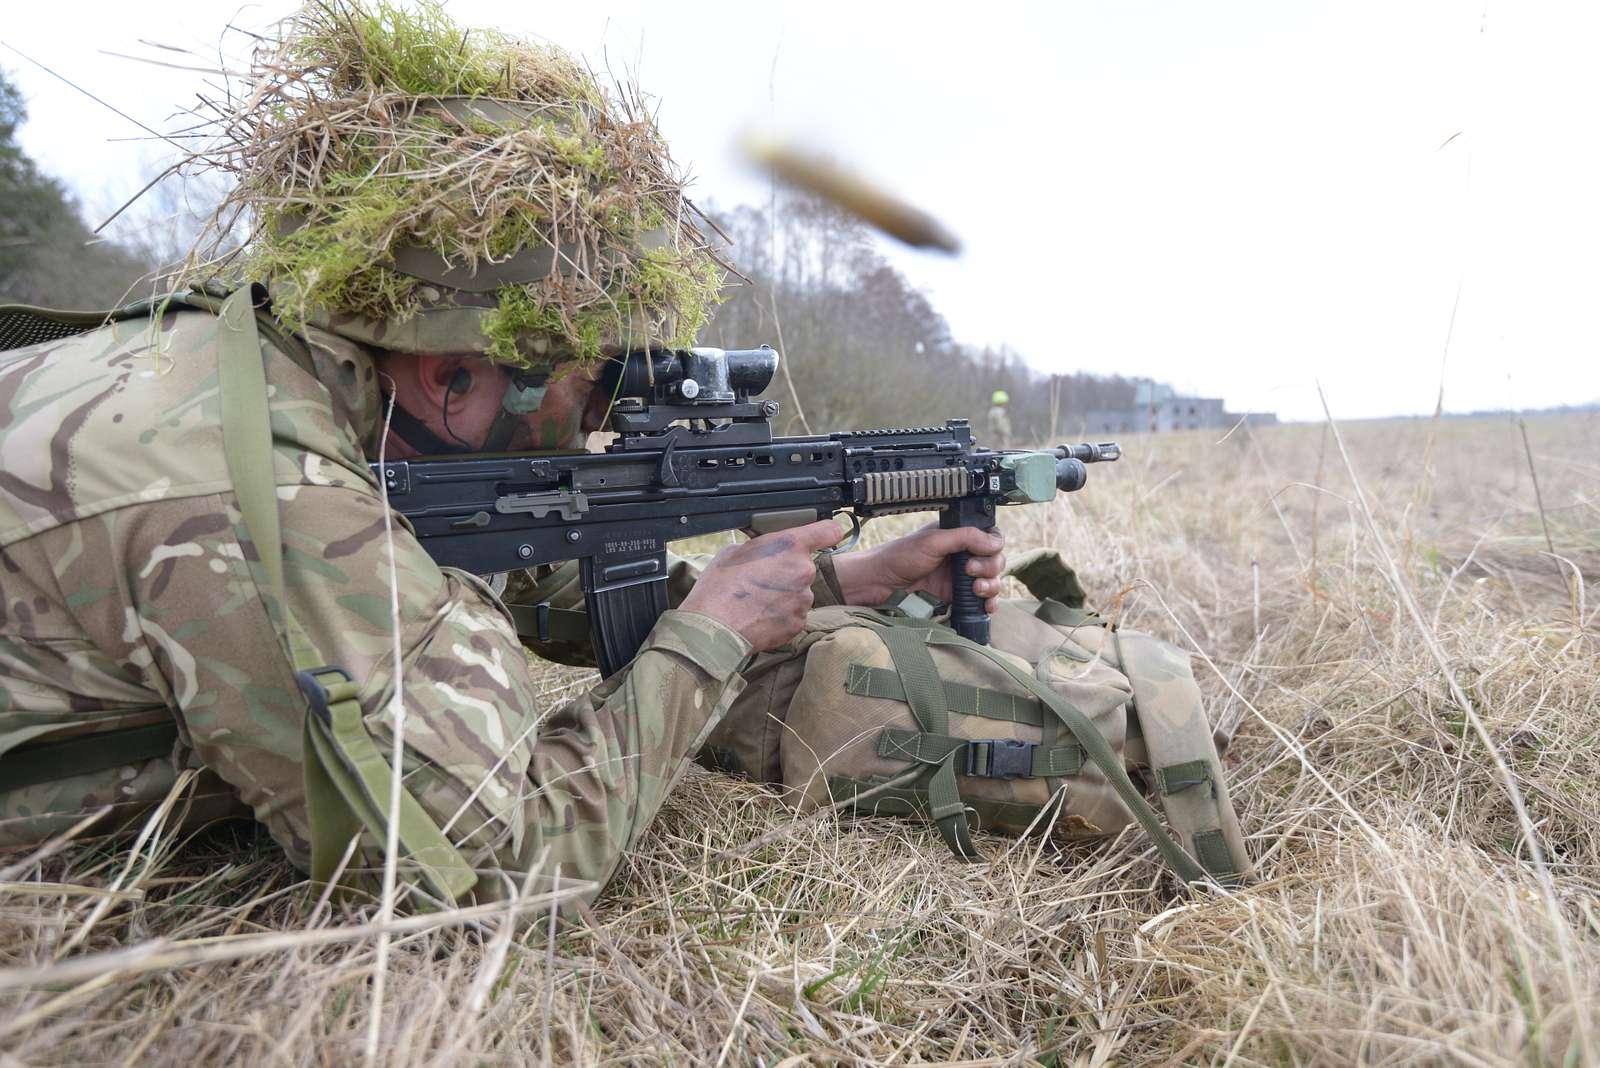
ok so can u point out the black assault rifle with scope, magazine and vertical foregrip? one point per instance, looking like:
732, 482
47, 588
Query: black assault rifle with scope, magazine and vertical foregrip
695, 455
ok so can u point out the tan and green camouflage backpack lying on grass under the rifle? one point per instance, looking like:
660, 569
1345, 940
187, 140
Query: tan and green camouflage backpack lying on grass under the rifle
1063, 727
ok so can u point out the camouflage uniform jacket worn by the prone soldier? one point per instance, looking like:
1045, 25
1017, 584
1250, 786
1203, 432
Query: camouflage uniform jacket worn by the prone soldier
130, 591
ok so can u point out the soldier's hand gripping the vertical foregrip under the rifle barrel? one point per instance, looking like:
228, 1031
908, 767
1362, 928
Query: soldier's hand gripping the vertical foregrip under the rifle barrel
919, 562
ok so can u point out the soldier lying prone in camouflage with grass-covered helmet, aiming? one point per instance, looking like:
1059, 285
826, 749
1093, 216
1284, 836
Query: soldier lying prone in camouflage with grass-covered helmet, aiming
194, 565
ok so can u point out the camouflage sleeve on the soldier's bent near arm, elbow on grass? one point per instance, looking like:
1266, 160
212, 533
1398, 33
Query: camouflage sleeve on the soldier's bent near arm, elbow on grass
506, 786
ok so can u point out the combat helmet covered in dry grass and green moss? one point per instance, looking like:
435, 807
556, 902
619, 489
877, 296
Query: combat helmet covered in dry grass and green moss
439, 191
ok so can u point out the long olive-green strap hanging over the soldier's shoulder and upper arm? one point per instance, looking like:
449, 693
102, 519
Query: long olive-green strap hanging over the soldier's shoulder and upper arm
348, 781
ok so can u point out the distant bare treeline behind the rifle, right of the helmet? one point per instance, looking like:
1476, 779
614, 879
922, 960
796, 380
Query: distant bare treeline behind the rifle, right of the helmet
863, 346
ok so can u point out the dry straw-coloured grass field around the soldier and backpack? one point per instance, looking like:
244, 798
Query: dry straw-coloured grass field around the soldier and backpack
1404, 640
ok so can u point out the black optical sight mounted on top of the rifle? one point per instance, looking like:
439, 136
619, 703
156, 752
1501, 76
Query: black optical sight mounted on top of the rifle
690, 377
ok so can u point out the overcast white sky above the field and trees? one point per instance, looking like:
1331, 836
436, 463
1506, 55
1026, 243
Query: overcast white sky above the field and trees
1234, 197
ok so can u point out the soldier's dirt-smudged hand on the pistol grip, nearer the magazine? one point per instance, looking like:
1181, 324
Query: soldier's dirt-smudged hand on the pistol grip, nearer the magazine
762, 589
